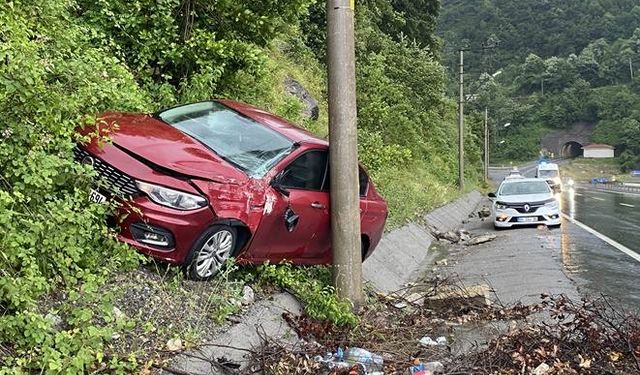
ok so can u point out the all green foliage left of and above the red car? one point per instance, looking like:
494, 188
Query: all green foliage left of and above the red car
60, 63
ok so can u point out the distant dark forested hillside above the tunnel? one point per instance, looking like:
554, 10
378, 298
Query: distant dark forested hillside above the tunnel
562, 62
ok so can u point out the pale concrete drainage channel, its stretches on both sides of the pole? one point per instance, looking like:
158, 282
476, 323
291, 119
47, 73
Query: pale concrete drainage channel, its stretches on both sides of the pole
401, 257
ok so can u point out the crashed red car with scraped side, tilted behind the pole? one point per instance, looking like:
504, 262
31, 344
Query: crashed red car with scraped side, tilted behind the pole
207, 181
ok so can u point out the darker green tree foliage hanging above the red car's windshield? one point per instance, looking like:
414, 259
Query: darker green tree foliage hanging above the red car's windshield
190, 48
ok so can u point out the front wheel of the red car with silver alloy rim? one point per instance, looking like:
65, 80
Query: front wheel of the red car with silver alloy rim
210, 252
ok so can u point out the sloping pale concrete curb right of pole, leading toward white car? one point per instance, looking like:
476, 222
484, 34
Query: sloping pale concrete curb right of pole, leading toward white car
403, 253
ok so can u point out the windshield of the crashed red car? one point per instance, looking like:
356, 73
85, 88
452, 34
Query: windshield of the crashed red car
247, 144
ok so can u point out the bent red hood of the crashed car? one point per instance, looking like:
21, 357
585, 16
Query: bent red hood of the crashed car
160, 144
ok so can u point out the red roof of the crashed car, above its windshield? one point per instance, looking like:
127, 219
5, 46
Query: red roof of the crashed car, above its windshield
276, 123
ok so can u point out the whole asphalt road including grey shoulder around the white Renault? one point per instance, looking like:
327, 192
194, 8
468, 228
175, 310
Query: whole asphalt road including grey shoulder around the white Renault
522, 263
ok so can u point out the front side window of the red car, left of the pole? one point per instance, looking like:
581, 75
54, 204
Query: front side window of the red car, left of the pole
306, 172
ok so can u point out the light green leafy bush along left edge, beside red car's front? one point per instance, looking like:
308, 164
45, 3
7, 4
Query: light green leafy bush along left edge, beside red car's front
52, 240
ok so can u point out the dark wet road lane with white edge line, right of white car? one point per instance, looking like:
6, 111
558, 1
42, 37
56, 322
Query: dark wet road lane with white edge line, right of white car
598, 266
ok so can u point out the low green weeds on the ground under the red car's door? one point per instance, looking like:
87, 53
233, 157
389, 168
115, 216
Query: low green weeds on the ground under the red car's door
312, 285
